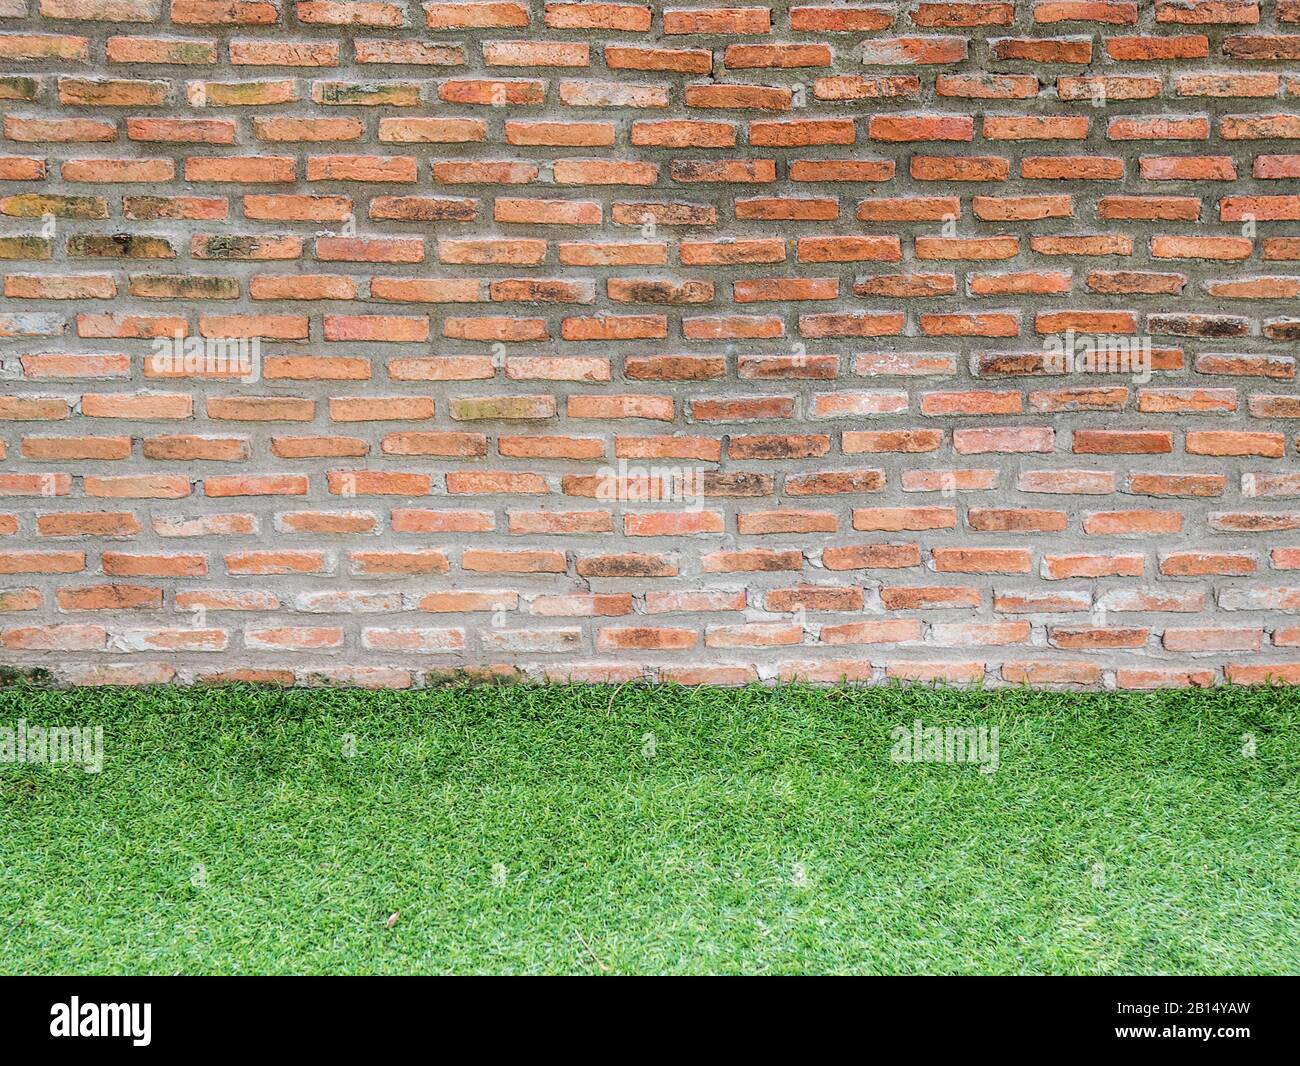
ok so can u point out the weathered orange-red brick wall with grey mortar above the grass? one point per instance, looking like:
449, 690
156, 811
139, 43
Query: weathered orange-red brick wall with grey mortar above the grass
370, 341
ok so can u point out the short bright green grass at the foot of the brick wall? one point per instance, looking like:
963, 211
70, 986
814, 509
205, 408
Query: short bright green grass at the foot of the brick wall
525, 830
